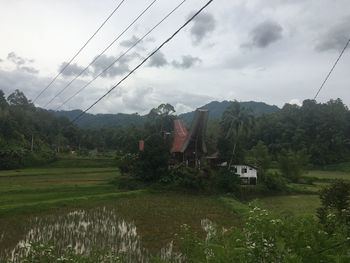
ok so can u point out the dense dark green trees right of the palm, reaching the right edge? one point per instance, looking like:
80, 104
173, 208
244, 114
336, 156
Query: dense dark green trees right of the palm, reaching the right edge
322, 129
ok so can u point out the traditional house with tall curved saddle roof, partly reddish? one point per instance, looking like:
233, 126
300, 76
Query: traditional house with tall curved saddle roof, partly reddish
189, 146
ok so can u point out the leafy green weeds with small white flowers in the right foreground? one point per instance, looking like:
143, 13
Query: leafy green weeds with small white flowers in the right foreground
265, 238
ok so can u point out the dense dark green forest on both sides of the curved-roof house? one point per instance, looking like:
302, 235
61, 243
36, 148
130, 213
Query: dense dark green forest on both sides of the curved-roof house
31, 135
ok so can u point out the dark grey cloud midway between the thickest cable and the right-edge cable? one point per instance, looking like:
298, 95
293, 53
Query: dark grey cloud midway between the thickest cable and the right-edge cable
264, 34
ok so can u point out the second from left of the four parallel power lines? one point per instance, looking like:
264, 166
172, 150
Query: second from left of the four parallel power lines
97, 57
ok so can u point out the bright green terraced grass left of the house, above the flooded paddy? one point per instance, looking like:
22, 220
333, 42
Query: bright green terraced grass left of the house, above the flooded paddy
73, 182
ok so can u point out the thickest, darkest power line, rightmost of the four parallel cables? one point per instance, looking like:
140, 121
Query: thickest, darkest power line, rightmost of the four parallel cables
145, 60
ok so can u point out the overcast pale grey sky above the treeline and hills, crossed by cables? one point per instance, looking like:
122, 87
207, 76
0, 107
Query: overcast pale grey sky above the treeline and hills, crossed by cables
271, 51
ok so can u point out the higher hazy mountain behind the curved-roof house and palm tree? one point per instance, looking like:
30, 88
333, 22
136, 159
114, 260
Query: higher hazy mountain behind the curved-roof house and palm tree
217, 108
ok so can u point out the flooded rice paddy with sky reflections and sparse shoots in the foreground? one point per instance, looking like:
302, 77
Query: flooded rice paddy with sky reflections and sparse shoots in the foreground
136, 225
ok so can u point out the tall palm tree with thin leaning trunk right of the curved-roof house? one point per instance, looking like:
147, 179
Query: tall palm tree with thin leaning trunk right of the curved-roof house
236, 122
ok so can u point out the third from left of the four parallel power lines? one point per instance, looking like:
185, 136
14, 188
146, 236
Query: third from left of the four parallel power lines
123, 54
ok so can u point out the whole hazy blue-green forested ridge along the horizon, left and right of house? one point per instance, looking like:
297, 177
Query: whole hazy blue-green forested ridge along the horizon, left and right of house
121, 119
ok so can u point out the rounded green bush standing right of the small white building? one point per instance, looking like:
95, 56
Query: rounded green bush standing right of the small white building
293, 164
